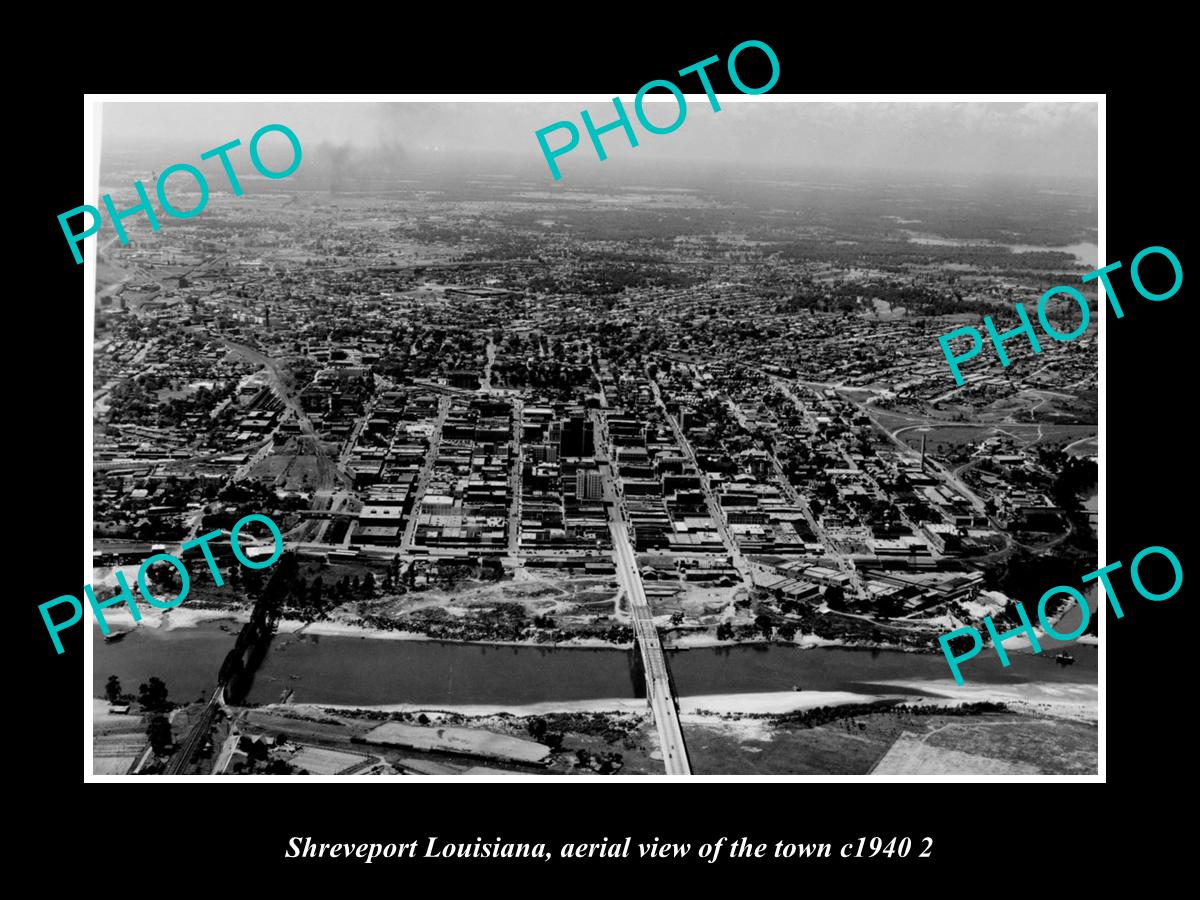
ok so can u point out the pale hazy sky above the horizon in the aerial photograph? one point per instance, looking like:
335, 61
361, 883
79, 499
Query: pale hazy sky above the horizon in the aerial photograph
994, 139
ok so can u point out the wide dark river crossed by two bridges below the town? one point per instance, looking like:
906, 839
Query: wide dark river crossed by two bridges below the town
368, 671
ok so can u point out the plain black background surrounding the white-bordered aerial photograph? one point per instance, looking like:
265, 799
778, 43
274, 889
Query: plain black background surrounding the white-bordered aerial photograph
1027, 836
